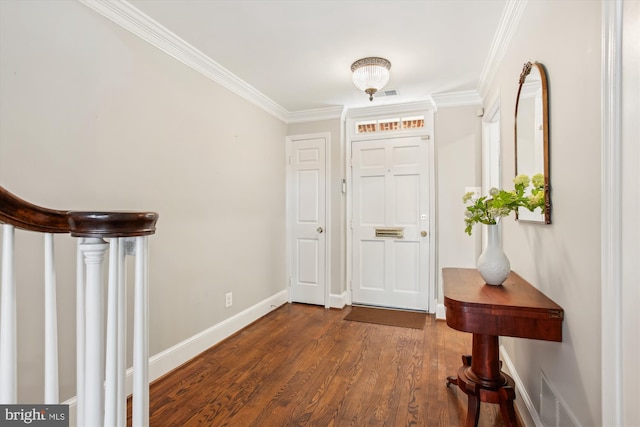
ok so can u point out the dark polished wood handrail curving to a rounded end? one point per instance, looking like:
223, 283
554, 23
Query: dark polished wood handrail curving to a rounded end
27, 216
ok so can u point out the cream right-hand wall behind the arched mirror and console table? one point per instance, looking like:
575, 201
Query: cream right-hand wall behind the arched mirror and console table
561, 259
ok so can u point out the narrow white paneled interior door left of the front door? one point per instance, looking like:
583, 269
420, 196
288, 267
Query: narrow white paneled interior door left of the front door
307, 202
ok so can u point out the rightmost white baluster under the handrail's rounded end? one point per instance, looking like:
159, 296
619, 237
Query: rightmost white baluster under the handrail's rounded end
141, 337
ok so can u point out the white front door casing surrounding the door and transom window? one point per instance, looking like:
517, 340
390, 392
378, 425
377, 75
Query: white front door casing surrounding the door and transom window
426, 133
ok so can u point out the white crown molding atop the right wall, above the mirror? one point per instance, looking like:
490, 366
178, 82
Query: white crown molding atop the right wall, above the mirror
509, 21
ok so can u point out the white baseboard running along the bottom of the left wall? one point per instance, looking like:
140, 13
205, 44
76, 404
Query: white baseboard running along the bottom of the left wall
169, 359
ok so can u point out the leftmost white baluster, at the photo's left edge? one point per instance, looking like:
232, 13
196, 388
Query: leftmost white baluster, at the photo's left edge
8, 334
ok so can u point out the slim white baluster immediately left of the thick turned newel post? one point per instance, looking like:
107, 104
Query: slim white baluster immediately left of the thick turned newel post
80, 334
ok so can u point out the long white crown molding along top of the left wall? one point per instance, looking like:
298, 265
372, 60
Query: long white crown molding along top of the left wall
128, 17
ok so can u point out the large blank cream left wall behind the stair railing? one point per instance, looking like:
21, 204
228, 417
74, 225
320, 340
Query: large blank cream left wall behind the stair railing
93, 118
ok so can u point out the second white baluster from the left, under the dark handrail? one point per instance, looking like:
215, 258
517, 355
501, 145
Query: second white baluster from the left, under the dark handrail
50, 324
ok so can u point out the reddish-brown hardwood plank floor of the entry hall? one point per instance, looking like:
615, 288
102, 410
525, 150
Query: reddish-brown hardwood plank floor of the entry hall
302, 365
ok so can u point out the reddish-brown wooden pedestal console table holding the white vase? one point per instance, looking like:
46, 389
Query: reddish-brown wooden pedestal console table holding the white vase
514, 309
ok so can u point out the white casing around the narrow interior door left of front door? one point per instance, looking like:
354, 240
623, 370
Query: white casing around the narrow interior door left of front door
290, 139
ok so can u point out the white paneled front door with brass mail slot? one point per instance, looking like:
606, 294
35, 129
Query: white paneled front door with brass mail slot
390, 223
